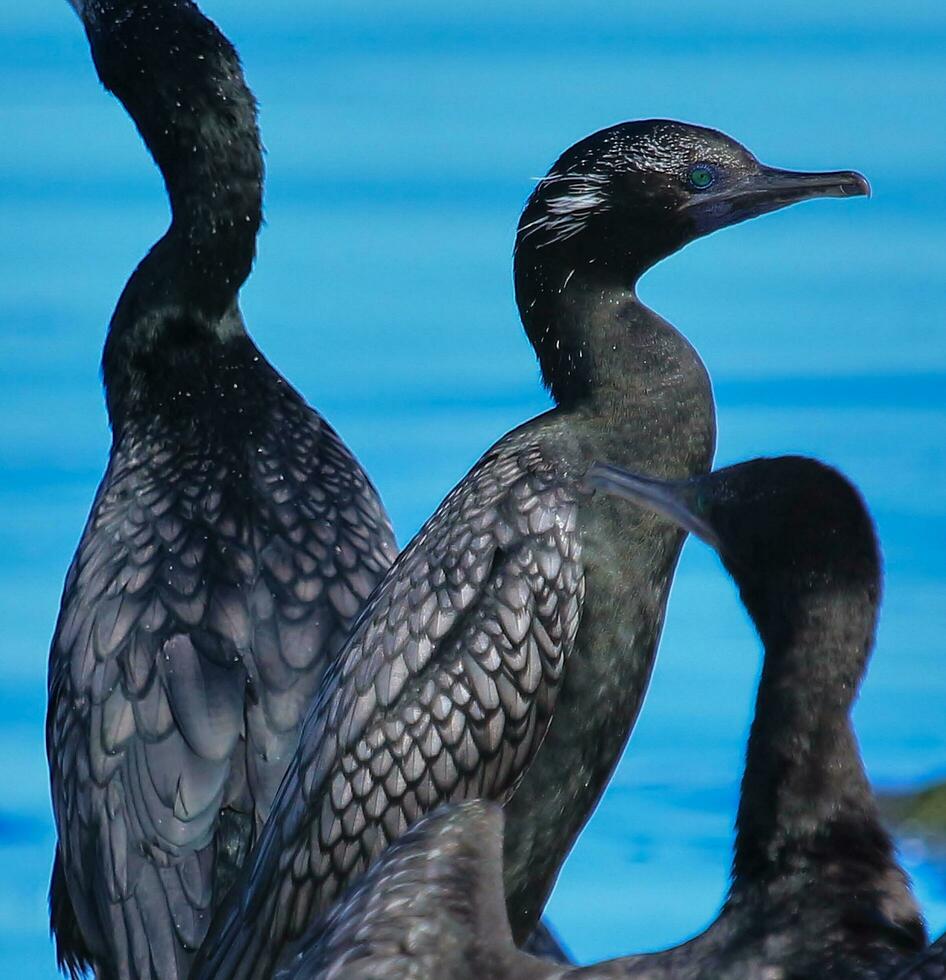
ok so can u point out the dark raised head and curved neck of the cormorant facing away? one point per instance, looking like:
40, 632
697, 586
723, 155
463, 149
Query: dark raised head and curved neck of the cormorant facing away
181, 82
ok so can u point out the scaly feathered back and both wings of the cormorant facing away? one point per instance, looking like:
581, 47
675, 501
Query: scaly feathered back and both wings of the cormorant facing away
200, 611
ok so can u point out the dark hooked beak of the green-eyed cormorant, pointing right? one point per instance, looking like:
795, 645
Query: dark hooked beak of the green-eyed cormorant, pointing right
770, 189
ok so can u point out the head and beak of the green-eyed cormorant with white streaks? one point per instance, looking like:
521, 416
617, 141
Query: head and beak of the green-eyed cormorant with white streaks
623, 198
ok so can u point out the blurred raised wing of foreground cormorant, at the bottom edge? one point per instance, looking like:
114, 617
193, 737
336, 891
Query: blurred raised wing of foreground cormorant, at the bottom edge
433, 899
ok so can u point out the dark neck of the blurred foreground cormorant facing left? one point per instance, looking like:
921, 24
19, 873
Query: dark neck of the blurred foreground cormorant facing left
805, 796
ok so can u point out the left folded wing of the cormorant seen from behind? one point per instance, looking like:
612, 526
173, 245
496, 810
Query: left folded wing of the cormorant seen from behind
145, 713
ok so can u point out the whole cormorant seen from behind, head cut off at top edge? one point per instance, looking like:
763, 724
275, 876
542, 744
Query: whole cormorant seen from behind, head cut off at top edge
231, 543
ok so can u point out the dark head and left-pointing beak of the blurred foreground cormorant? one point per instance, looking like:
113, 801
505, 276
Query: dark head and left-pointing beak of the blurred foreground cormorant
794, 534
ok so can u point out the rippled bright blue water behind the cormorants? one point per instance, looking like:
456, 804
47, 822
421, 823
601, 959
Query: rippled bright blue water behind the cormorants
402, 138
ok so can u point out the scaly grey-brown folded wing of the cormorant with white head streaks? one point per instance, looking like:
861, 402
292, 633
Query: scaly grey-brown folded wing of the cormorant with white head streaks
443, 692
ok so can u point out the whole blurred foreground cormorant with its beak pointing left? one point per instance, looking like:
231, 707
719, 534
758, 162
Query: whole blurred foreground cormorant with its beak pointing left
816, 889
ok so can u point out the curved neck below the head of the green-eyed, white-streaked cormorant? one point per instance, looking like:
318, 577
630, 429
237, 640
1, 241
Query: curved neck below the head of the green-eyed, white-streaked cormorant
598, 346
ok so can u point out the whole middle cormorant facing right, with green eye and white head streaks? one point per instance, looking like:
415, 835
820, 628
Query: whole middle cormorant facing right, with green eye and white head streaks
522, 601
